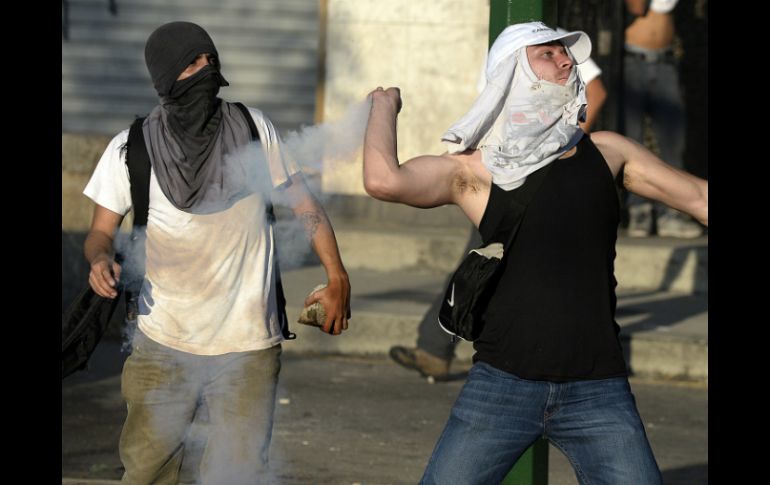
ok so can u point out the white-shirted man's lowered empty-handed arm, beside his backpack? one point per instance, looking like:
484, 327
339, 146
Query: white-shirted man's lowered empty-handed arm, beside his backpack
99, 252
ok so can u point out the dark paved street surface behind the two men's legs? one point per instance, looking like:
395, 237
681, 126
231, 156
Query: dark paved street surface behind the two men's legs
348, 420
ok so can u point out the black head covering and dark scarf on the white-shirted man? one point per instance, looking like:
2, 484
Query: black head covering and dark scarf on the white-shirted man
190, 132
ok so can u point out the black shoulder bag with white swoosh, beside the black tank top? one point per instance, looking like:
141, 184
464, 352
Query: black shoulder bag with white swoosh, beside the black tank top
474, 282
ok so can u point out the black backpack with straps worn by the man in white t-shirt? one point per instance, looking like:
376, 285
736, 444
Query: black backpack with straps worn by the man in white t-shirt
86, 320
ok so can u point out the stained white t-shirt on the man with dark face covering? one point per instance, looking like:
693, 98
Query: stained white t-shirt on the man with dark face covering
209, 285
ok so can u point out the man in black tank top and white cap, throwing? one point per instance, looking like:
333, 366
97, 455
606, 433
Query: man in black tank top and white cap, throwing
548, 362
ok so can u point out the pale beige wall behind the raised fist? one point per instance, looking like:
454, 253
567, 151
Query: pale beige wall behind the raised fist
431, 49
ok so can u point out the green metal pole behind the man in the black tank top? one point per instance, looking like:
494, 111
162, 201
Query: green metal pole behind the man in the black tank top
532, 467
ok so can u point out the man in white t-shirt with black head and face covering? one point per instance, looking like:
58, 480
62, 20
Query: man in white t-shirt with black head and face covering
209, 330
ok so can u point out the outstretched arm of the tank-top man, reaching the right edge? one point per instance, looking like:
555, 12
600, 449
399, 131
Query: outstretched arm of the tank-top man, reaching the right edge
649, 176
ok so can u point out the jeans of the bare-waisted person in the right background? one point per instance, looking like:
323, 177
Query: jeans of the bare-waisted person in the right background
652, 88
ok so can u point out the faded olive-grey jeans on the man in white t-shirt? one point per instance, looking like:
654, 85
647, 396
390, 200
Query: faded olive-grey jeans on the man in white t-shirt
163, 388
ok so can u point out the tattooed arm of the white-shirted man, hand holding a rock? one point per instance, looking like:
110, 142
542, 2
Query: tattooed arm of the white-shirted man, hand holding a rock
335, 298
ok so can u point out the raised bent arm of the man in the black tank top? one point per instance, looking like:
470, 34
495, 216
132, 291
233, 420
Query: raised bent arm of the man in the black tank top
424, 181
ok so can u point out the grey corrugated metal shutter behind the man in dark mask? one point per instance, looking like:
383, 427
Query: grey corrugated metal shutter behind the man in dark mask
268, 49
